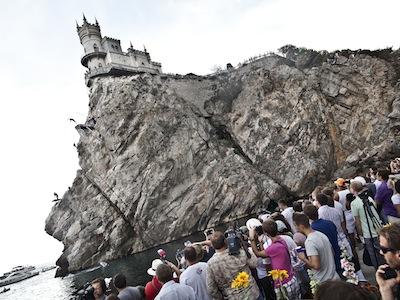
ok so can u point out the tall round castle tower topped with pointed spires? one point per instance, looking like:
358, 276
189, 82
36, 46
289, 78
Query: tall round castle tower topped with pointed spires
91, 40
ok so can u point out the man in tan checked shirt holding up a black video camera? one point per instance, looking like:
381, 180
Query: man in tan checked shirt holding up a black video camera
223, 268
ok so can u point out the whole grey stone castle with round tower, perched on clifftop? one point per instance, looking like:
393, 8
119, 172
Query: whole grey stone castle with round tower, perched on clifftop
103, 55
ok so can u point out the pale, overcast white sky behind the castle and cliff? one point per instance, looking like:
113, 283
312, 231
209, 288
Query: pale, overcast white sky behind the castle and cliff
42, 83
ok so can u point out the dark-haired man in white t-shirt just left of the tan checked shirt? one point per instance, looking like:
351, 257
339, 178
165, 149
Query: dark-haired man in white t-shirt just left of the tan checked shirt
196, 272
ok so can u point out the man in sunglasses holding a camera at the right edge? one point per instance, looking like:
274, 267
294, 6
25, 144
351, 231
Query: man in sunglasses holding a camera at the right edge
388, 275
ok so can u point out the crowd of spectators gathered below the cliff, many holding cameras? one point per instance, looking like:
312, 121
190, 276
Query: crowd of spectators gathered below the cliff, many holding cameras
306, 249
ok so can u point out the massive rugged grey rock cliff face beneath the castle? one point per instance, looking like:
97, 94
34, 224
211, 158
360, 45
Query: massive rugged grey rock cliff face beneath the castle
164, 156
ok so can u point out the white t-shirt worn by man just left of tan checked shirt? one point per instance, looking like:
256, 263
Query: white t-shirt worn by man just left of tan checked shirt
195, 277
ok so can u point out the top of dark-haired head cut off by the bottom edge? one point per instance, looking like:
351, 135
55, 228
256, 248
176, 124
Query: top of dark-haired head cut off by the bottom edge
340, 290
